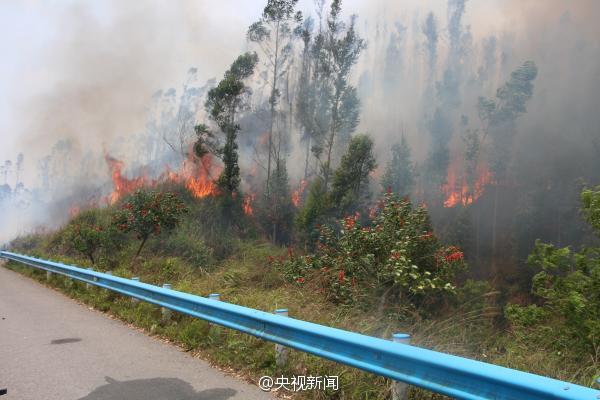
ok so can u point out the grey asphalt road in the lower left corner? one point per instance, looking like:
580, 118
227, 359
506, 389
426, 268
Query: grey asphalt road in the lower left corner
52, 348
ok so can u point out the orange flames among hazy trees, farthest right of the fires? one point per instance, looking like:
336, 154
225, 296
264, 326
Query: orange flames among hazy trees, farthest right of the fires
458, 191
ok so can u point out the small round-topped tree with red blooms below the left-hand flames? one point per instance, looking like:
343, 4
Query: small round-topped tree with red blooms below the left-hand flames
149, 213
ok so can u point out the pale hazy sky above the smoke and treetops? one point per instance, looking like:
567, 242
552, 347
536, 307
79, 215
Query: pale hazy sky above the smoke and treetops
88, 69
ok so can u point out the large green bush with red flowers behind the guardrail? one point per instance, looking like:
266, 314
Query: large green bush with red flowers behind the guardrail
398, 255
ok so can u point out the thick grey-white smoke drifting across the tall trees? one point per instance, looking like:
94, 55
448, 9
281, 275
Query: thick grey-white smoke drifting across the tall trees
485, 125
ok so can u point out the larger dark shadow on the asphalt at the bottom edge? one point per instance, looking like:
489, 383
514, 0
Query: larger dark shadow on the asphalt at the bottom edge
155, 389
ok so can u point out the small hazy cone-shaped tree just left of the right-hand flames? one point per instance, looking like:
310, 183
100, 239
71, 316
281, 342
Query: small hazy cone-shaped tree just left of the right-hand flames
399, 175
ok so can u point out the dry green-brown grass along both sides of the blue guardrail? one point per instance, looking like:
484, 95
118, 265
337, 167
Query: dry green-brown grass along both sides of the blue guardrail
246, 279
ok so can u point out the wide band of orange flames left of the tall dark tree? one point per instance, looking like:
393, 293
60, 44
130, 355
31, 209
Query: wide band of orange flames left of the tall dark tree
196, 176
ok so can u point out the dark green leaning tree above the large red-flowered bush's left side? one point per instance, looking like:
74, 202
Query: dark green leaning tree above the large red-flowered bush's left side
350, 187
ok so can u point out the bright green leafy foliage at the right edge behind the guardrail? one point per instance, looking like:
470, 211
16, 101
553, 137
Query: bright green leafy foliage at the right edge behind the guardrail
568, 289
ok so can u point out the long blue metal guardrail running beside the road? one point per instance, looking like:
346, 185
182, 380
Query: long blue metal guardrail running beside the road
450, 375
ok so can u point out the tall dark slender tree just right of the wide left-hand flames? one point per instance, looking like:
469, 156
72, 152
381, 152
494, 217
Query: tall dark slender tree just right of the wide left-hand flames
223, 103
